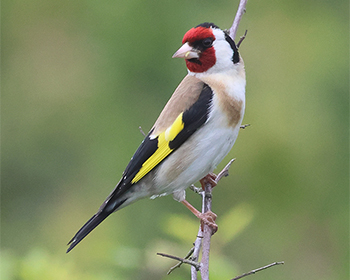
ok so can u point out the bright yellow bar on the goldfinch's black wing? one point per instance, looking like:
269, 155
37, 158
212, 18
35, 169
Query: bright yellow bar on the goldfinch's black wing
163, 149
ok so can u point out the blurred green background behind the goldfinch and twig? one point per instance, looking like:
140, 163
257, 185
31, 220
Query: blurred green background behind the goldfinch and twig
79, 78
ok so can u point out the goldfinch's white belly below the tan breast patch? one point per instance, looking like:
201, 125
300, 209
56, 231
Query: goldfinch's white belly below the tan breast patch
201, 153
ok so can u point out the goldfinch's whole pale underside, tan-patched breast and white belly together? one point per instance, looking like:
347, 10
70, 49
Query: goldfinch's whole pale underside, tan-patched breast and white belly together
208, 146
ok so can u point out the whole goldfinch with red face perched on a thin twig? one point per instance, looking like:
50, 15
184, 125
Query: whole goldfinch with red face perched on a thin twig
193, 133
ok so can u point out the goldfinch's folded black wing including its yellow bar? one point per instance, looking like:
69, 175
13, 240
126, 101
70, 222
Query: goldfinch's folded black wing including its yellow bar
157, 146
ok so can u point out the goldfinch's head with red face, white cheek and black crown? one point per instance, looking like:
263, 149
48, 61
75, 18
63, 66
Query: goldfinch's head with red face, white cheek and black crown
207, 48
